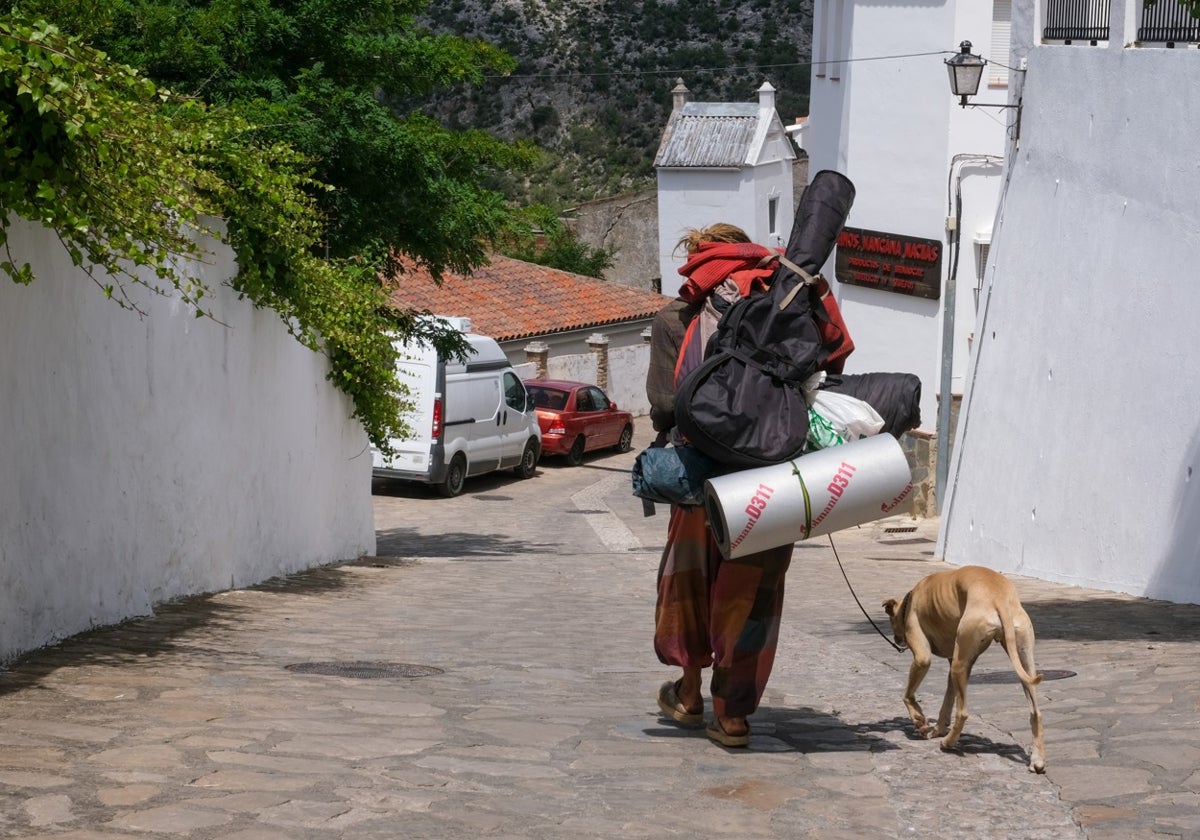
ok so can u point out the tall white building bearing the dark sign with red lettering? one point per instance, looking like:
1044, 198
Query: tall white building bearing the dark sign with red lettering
928, 176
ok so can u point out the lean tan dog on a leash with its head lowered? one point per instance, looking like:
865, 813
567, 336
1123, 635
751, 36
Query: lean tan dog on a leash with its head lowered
957, 615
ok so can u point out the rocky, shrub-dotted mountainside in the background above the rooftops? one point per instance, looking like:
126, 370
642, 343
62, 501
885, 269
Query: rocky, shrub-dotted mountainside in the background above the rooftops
595, 79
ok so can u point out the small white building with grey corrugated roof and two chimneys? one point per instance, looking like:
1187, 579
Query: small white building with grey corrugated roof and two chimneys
723, 163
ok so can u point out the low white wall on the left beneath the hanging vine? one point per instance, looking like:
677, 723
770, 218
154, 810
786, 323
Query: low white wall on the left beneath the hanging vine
148, 459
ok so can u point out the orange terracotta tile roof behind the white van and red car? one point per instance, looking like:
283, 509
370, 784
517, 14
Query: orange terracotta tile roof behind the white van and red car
513, 299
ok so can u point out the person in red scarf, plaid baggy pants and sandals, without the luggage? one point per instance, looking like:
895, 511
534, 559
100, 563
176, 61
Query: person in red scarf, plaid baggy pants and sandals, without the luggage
711, 613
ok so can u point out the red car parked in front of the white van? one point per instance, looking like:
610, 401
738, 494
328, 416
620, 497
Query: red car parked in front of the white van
578, 418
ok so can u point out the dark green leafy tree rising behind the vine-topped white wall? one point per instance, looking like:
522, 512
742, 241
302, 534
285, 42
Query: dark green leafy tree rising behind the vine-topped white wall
321, 76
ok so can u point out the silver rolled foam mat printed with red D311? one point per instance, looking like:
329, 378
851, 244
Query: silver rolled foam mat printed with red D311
818, 494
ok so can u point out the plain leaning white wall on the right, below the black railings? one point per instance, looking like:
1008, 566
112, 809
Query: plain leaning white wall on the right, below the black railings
1081, 431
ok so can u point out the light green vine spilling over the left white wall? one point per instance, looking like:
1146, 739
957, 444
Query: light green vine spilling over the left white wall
131, 177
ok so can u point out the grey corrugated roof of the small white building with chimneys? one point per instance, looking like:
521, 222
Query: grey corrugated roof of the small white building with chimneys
710, 135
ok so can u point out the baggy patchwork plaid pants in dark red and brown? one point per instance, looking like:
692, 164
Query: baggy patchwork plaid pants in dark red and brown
725, 614
